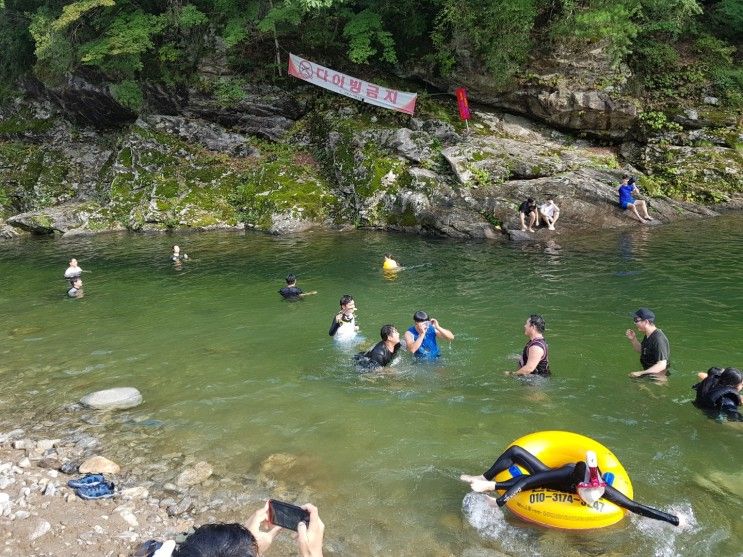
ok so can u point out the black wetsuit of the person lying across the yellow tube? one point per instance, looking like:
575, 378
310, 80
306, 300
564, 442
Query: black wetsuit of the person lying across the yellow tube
565, 479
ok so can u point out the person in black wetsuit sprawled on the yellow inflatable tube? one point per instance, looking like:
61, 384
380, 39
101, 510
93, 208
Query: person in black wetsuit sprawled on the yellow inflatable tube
583, 478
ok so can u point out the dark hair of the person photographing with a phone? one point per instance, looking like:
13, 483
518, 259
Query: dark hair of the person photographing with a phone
219, 540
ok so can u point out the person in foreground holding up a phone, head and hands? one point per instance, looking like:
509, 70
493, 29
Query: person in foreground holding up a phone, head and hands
231, 540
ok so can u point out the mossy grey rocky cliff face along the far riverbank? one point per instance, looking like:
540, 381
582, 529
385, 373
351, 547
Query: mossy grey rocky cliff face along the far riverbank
277, 160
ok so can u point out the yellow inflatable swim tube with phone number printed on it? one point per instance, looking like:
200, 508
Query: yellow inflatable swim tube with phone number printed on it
566, 510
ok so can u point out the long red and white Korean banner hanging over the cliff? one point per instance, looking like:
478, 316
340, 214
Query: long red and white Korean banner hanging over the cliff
350, 86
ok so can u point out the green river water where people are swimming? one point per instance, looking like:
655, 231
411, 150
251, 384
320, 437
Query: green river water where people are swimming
233, 374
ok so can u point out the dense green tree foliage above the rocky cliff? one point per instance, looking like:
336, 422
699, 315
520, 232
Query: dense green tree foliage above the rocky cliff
679, 48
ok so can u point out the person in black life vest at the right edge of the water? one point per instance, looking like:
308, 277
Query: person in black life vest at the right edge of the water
718, 392
